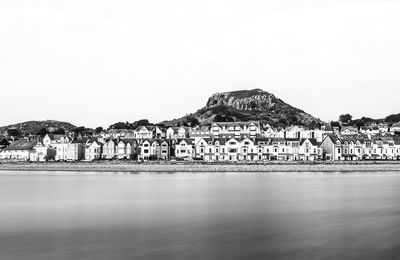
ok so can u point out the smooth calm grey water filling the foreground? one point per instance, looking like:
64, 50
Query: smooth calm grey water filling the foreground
200, 216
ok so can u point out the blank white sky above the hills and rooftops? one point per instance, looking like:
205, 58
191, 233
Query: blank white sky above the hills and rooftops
94, 63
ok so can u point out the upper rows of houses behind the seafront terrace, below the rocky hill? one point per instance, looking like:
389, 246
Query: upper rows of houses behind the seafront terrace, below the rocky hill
245, 129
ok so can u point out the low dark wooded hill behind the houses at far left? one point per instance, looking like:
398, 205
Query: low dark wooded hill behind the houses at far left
32, 127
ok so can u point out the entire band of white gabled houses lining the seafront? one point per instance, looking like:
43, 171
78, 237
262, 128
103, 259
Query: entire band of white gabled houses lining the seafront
233, 141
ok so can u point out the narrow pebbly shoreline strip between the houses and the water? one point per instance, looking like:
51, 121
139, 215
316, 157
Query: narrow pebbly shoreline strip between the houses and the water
168, 167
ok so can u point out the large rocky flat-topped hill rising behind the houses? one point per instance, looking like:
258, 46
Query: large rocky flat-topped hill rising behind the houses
247, 105
